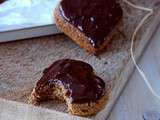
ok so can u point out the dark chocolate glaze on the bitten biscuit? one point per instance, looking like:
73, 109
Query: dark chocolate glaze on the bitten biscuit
78, 79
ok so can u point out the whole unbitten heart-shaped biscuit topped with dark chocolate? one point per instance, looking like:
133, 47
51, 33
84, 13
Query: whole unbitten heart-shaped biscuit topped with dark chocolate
91, 24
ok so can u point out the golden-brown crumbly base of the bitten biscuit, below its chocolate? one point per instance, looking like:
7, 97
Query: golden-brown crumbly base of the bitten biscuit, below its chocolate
81, 109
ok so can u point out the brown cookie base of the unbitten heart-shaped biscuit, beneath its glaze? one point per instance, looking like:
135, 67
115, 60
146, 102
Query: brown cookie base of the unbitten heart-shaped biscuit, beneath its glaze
80, 38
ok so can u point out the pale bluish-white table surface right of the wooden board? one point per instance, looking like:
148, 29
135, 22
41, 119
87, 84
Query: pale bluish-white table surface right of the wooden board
136, 97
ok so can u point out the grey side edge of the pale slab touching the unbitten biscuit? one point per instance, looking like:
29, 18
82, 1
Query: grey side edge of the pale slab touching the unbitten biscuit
31, 32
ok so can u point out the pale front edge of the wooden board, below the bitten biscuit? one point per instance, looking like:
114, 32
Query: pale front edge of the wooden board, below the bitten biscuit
12, 109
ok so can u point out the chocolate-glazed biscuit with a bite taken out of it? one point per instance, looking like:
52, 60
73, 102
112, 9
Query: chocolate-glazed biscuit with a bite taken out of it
73, 82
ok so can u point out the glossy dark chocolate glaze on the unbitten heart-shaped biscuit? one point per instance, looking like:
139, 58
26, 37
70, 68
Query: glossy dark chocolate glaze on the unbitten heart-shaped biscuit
95, 18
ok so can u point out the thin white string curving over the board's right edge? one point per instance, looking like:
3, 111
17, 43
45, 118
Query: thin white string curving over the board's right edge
132, 43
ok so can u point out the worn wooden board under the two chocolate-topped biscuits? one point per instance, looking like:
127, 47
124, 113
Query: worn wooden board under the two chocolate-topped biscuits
22, 63
